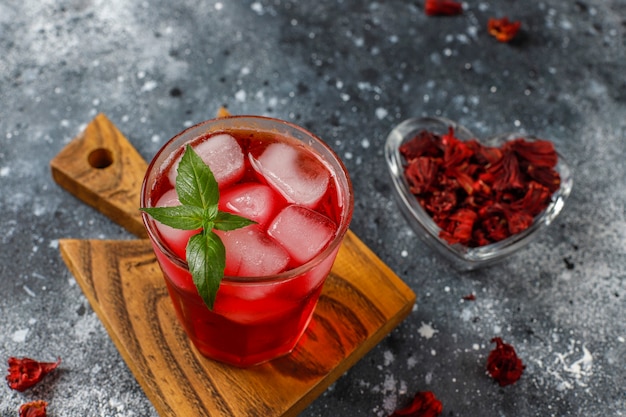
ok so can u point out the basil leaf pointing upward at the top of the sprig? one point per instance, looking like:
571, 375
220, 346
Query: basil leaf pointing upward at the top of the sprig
195, 183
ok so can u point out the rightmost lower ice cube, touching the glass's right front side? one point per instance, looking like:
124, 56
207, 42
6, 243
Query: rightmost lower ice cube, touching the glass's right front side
302, 232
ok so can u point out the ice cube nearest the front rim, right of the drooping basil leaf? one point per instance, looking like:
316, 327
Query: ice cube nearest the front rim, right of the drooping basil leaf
251, 253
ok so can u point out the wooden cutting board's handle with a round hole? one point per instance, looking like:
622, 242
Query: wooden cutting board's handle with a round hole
101, 168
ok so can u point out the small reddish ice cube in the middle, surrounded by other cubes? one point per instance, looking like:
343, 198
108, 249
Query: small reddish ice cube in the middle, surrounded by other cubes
253, 201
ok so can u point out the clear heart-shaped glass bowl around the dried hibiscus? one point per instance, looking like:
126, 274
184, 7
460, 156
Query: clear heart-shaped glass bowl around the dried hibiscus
463, 257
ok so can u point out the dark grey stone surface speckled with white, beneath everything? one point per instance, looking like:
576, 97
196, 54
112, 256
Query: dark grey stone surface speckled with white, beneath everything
348, 70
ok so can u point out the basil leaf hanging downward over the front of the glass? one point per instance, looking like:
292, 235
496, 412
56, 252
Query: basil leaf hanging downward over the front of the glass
206, 257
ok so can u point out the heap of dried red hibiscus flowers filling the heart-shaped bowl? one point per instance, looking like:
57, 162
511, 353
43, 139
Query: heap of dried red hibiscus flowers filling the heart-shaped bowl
479, 194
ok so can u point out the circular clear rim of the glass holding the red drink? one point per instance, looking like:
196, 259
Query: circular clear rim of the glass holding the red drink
339, 172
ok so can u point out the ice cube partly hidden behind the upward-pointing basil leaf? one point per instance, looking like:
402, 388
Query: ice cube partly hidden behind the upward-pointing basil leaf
223, 155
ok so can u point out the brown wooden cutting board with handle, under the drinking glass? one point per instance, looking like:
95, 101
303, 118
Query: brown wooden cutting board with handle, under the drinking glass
362, 301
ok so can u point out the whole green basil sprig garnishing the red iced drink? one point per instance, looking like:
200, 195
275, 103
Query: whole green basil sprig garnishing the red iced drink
199, 195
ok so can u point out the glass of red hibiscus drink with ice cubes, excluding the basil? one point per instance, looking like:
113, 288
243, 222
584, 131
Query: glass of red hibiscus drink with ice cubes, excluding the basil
299, 194
